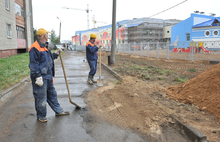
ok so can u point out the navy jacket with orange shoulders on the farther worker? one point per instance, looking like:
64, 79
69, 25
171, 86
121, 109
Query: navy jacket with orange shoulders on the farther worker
91, 51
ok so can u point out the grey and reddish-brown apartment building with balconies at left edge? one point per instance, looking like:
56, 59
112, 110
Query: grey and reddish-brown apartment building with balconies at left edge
16, 27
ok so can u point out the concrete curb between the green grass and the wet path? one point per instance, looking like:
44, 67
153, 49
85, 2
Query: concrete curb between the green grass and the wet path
12, 90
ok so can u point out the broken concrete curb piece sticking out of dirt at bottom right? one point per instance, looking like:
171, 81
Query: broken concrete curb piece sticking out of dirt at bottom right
191, 132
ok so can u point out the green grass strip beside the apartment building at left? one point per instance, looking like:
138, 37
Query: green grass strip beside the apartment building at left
13, 70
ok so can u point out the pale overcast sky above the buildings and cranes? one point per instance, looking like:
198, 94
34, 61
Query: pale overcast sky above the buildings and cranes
45, 12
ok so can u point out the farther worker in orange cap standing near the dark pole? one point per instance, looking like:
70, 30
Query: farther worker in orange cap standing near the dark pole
92, 56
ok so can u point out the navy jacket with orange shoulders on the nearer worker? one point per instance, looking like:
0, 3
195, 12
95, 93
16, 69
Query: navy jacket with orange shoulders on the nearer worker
41, 60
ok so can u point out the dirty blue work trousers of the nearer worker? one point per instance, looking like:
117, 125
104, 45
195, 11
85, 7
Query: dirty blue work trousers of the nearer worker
45, 94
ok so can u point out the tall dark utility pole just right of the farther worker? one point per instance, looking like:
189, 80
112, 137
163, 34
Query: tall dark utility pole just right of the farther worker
112, 60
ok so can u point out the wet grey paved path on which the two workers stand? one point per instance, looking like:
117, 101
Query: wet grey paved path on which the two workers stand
18, 122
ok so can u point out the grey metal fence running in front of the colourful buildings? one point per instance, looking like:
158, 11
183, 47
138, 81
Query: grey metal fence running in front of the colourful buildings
177, 50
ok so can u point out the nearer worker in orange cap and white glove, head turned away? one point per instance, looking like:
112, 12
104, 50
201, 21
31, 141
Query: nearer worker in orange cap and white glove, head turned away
42, 72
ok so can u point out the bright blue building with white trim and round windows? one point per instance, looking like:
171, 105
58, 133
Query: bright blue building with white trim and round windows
198, 28
